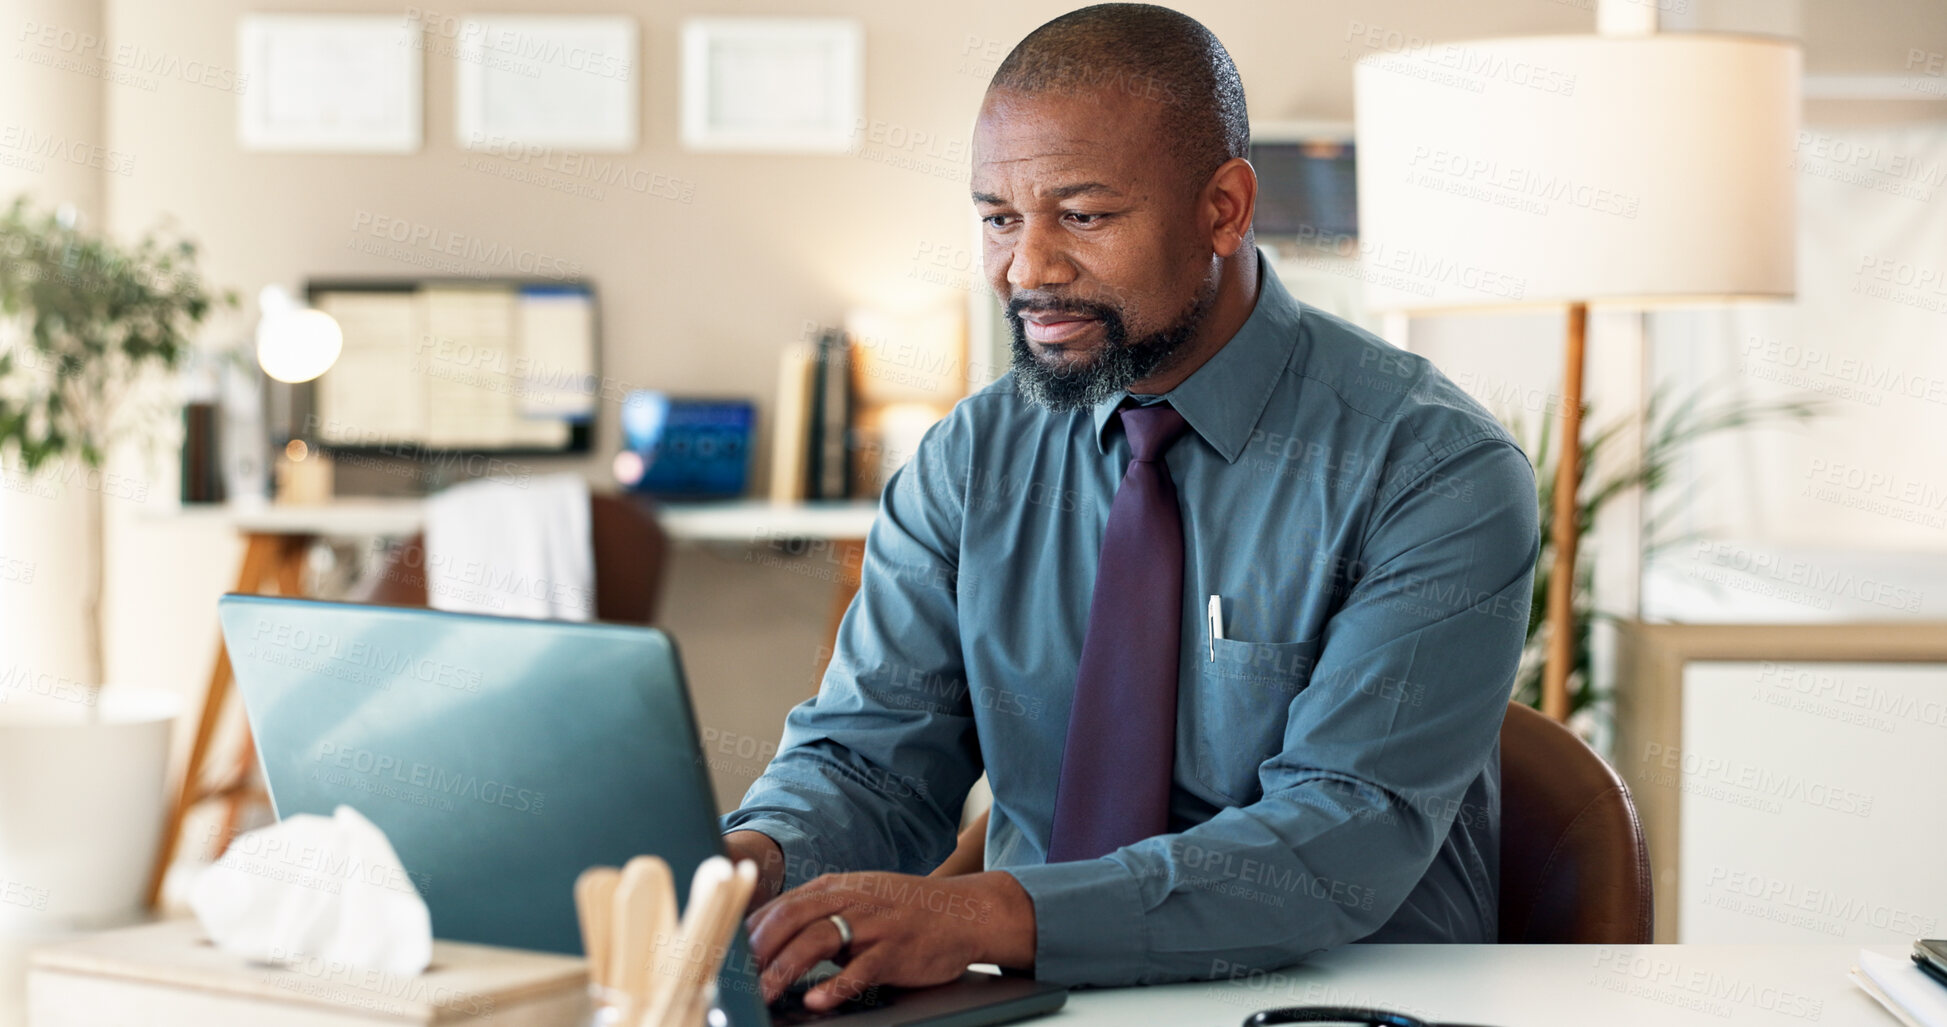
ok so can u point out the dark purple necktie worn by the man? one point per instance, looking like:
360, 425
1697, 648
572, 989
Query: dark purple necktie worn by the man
1122, 730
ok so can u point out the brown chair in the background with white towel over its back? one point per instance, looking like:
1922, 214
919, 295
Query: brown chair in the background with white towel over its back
630, 562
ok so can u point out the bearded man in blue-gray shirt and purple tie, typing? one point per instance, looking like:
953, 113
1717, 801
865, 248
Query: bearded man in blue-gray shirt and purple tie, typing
1222, 593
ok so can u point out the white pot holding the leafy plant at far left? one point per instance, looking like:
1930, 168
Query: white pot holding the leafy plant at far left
81, 806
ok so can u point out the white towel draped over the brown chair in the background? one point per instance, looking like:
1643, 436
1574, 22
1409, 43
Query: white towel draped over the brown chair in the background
519, 551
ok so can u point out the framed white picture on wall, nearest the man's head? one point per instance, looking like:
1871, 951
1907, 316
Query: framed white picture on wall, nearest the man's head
774, 85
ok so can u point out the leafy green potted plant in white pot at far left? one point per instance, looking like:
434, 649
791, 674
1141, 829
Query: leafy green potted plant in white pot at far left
89, 326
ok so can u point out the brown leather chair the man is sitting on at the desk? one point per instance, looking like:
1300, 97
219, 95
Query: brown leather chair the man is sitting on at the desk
1574, 864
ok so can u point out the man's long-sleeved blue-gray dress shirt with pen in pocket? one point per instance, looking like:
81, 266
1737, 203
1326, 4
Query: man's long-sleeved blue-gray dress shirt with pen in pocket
1372, 533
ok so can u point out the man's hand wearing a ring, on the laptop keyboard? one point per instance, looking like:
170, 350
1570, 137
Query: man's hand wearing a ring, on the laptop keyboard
906, 932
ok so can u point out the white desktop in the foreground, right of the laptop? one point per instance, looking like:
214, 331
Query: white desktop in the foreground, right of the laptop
1524, 987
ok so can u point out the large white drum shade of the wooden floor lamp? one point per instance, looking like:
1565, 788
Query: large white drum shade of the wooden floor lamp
1578, 171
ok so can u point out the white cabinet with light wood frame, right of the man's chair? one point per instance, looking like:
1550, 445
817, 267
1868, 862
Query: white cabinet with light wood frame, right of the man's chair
1790, 779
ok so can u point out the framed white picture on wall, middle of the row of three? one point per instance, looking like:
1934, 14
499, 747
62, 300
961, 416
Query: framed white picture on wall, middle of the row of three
548, 81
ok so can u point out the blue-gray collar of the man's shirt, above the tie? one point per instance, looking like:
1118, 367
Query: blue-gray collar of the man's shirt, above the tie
1226, 399
